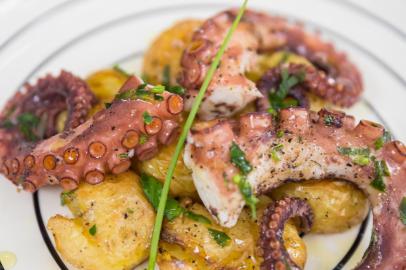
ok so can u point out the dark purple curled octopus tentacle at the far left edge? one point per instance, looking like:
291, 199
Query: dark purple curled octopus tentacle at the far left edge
42, 102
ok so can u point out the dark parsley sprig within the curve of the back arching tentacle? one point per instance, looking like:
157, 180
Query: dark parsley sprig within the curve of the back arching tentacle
277, 98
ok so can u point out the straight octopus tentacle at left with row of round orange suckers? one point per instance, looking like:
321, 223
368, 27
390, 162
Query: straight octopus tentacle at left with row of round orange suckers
105, 143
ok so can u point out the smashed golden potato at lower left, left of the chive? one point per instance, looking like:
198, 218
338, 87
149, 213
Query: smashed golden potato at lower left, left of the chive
124, 221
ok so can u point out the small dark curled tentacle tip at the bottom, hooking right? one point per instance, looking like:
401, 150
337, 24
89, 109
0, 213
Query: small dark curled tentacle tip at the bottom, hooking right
273, 222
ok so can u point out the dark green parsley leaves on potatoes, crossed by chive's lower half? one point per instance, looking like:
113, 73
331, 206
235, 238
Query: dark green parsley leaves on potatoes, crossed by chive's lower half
153, 188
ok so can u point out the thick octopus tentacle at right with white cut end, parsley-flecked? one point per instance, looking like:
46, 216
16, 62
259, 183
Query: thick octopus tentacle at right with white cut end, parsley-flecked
308, 145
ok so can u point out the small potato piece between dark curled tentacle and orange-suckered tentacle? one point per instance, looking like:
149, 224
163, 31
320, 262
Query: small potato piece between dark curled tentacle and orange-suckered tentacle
105, 84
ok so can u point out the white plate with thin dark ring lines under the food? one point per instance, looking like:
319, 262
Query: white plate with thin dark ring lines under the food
83, 36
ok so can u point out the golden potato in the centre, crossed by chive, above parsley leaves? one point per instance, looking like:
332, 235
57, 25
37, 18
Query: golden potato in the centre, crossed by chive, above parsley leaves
182, 181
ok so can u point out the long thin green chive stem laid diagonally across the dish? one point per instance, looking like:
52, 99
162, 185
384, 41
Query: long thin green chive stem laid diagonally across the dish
189, 121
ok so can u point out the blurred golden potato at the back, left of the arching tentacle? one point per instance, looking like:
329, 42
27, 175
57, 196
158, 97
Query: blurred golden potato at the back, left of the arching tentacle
166, 51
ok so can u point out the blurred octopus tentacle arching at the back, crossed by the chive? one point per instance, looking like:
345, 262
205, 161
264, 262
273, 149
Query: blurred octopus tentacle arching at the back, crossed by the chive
230, 90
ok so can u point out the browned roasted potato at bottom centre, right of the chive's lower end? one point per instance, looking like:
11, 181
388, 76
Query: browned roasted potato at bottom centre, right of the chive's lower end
189, 243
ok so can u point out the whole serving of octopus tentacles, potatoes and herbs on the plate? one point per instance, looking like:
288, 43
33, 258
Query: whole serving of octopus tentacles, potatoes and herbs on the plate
270, 157
